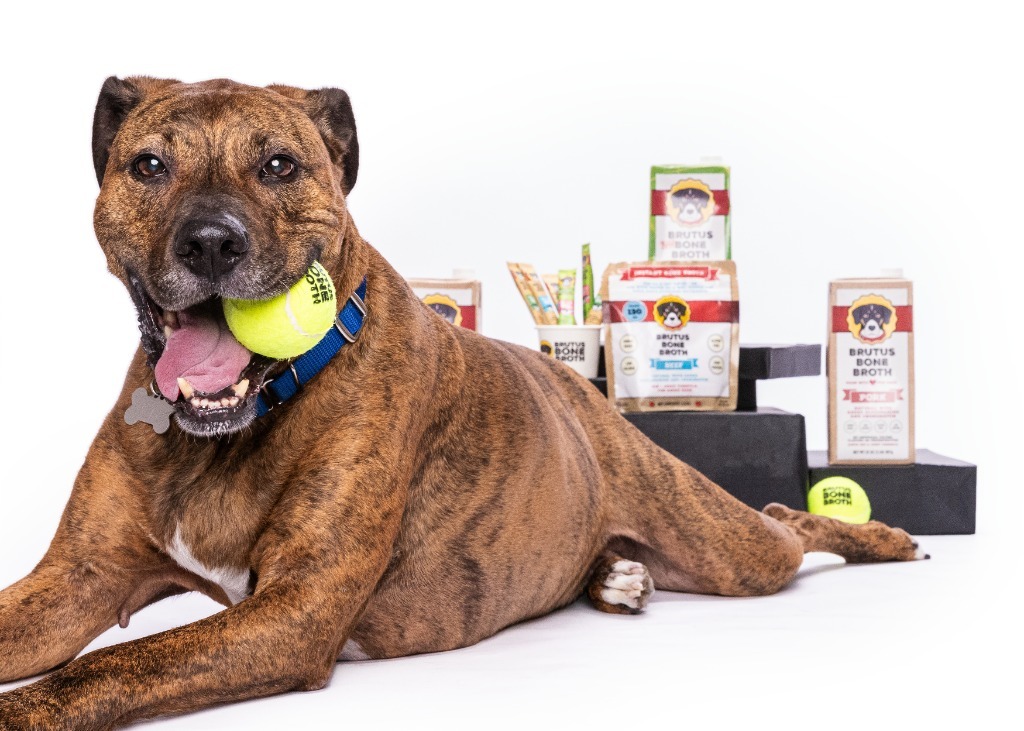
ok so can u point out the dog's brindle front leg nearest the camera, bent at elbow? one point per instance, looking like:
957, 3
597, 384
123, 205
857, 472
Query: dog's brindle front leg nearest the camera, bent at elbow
326, 546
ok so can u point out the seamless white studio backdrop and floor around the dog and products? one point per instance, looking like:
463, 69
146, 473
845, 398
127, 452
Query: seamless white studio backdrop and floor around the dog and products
862, 137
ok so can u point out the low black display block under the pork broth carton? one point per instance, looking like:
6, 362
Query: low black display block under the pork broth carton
936, 496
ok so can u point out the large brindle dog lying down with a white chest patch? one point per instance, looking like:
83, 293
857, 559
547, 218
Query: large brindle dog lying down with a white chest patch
428, 489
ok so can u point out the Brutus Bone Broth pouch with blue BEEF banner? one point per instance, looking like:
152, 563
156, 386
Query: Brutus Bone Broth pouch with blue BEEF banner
672, 336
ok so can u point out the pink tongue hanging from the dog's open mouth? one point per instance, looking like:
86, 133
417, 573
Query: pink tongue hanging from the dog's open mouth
203, 352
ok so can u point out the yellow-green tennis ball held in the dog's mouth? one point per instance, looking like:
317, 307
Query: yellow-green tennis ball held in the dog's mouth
289, 325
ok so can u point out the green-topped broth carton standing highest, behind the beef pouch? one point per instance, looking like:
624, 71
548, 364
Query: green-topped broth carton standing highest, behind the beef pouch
690, 213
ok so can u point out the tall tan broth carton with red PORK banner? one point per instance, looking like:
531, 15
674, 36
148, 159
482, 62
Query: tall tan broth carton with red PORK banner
871, 372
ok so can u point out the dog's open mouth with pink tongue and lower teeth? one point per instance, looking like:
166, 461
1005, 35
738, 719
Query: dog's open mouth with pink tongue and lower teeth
199, 366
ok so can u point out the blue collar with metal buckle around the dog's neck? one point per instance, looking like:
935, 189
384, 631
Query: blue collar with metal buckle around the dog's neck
347, 330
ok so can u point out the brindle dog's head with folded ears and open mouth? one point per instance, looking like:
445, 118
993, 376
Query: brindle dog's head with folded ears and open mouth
210, 191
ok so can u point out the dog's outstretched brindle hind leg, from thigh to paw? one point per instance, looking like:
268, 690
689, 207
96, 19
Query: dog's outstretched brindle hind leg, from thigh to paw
695, 537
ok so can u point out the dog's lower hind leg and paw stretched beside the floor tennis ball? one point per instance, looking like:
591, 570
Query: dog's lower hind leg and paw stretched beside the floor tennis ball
870, 543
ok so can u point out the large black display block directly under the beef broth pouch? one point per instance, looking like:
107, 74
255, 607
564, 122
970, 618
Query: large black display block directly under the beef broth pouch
759, 457
